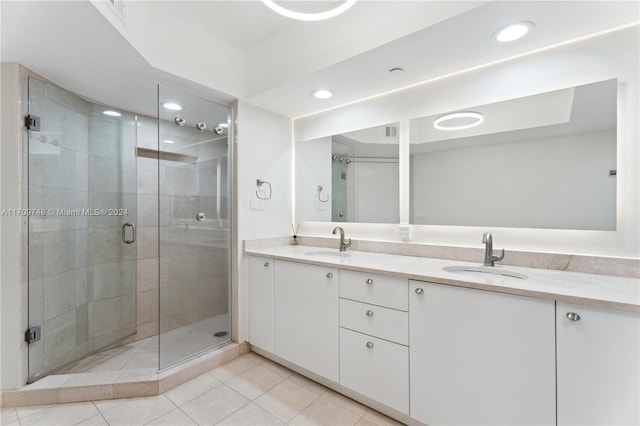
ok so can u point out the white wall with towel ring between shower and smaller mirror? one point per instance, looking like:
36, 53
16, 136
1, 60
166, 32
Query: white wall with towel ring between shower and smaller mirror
263, 152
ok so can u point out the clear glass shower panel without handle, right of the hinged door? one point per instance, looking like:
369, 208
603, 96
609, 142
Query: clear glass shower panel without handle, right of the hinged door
195, 225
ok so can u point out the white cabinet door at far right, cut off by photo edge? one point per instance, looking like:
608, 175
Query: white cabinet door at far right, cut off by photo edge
598, 365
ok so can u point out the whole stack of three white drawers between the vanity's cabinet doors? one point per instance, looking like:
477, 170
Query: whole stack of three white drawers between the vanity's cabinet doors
374, 334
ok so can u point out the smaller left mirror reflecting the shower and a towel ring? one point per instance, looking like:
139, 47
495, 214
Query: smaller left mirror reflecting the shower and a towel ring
350, 177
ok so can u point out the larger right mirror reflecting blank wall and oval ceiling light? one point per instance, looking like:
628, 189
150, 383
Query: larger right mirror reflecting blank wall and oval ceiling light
542, 161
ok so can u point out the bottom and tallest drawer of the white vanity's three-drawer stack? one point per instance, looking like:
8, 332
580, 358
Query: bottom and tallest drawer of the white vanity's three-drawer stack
375, 368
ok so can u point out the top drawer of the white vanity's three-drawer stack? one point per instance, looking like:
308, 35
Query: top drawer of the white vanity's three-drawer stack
391, 292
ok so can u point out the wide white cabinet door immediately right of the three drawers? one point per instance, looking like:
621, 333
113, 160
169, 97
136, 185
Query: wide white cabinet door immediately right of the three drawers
480, 357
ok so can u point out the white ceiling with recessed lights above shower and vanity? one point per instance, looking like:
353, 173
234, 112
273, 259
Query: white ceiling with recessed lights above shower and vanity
225, 50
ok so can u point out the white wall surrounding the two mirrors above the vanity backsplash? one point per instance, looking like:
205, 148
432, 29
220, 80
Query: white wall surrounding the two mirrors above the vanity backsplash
602, 57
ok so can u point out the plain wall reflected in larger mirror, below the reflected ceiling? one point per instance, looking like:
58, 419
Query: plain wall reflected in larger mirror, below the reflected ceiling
559, 183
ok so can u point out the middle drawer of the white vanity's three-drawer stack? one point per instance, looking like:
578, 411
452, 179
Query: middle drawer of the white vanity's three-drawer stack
385, 323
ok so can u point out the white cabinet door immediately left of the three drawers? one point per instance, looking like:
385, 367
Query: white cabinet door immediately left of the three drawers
306, 316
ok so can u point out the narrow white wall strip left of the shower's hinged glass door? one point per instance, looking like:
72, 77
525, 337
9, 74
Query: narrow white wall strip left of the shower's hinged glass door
12, 362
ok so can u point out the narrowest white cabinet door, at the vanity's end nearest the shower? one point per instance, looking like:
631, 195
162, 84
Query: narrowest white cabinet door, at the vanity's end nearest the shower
261, 302
